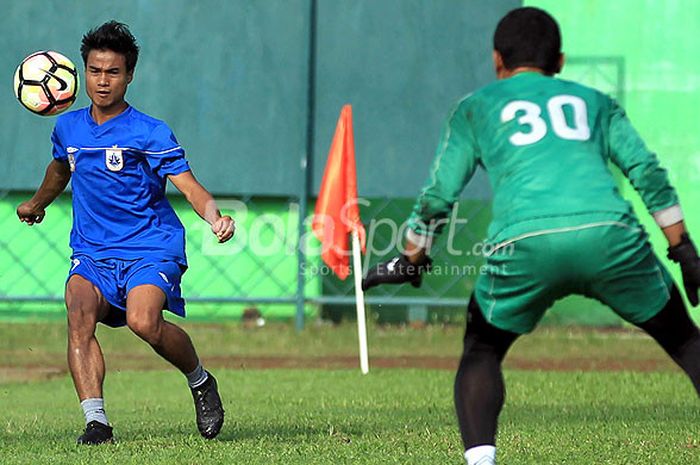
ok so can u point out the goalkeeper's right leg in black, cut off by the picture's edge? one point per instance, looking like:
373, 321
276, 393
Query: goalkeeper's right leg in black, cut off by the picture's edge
673, 329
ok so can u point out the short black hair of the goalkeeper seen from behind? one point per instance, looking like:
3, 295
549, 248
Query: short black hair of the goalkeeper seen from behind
528, 37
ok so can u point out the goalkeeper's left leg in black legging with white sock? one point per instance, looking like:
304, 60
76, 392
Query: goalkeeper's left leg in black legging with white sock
479, 387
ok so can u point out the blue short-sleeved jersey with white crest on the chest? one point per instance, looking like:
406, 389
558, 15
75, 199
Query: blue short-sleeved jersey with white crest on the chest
119, 172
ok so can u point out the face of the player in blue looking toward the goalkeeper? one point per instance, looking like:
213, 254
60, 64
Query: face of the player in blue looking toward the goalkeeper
106, 79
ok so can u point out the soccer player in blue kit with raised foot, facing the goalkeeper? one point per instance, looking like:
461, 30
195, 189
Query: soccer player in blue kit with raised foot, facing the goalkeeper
128, 243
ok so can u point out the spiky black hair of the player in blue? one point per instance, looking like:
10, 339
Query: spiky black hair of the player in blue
114, 36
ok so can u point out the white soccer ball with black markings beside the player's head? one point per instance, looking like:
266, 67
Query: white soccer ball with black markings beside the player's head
46, 83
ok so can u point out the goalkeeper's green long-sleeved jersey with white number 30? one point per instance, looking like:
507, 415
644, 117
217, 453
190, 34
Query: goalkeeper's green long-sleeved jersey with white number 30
545, 144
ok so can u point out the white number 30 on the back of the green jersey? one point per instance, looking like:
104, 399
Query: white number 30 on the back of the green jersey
531, 116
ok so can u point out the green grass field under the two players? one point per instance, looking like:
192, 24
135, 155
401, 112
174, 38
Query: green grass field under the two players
629, 406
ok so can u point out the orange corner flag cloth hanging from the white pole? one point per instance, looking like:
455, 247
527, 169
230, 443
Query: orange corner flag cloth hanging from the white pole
337, 213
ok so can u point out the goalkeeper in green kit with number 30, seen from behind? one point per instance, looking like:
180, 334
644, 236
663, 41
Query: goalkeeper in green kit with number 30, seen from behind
560, 226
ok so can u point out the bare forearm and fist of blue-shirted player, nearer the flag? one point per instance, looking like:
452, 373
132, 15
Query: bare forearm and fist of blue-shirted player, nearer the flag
204, 204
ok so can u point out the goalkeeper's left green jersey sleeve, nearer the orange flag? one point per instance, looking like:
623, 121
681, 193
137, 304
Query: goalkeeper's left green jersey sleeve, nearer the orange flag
455, 162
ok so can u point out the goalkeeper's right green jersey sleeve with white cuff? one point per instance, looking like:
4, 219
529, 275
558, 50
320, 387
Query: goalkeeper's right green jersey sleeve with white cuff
642, 168
